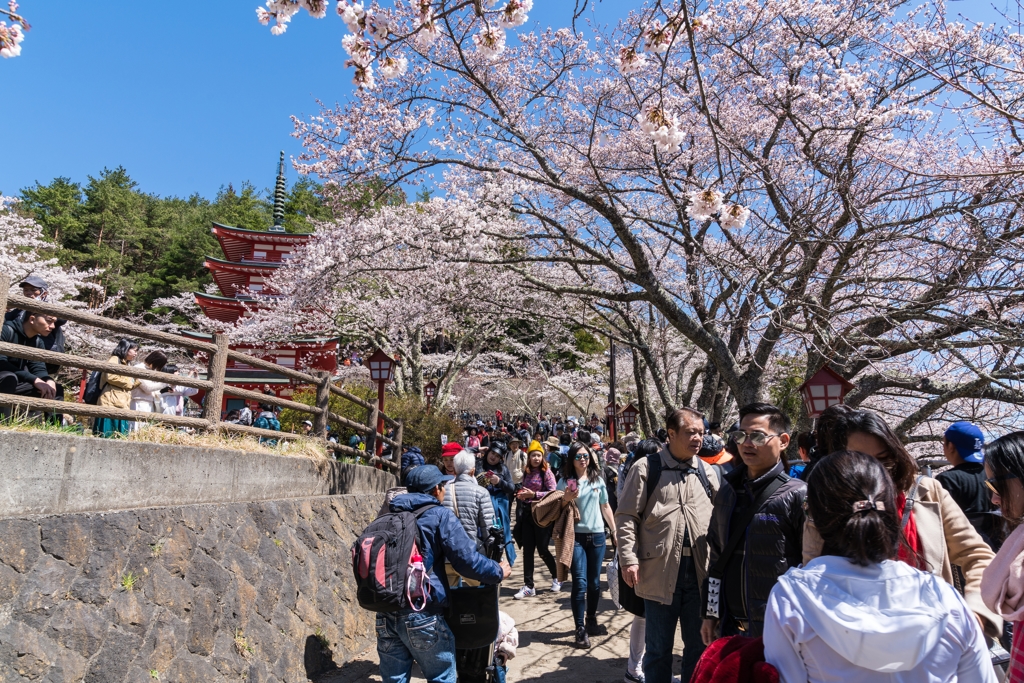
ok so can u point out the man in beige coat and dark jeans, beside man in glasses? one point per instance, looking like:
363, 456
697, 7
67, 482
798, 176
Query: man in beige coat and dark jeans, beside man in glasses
663, 519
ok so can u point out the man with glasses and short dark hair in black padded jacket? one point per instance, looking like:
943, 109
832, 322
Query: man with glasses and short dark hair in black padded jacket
757, 527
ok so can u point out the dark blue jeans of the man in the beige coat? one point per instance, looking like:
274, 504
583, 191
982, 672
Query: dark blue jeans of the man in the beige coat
686, 610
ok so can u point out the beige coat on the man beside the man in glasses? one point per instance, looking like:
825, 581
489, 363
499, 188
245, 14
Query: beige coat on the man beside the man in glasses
653, 537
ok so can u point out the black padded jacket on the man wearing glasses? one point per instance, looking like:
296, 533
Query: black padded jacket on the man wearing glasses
774, 542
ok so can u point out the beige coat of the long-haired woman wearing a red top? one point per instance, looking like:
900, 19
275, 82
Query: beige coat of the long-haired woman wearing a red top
947, 538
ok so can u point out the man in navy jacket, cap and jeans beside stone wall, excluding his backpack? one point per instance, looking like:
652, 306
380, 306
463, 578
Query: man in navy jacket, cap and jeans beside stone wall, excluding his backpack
424, 637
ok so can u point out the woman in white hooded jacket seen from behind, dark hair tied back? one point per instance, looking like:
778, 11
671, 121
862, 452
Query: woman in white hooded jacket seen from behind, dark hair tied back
858, 616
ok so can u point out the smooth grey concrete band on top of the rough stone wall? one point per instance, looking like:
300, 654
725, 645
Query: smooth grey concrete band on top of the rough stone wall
44, 475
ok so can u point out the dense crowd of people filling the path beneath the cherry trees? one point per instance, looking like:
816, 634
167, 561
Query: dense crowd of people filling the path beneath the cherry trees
850, 565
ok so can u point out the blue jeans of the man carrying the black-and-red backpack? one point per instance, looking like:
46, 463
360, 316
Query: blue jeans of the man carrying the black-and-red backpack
405, 636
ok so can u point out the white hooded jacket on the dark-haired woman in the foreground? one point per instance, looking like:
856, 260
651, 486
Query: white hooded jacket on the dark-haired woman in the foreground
835, 621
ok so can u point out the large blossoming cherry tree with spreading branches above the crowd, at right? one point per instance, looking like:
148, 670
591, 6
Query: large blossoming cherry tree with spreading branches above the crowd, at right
783, 178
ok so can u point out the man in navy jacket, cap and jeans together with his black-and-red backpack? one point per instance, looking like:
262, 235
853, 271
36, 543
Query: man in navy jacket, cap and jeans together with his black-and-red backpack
418, 632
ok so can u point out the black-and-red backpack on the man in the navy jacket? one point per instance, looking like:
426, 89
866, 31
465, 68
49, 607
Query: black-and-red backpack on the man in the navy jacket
383, 559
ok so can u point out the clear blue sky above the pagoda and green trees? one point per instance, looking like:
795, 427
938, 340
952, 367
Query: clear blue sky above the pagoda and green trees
187, 99
